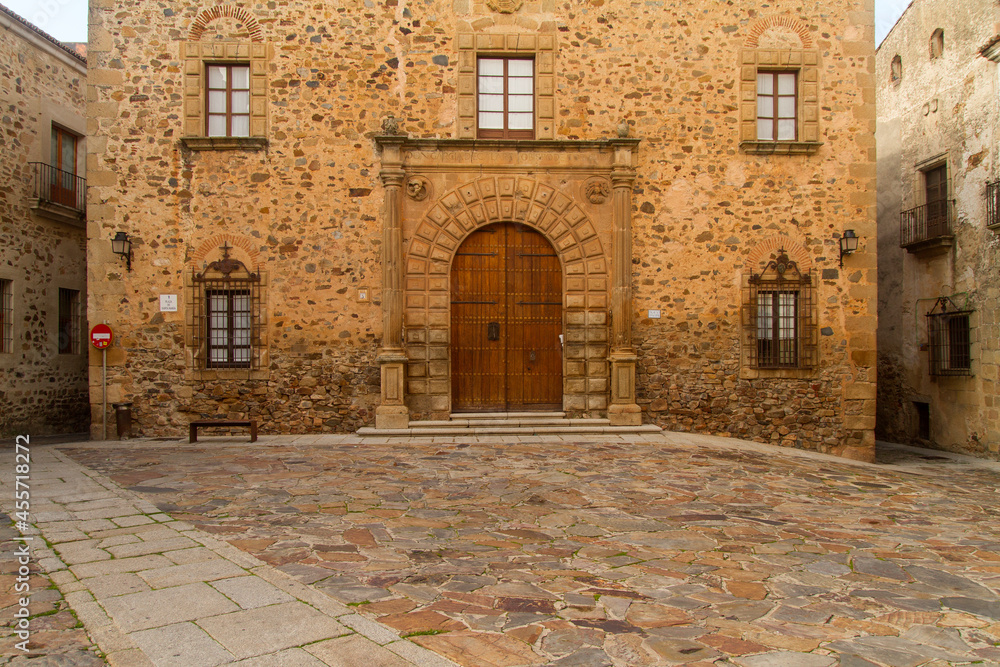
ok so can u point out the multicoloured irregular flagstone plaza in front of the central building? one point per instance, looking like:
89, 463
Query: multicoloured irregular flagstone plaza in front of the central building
677, 549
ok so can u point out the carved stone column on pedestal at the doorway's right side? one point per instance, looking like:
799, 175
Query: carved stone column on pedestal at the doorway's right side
623, 410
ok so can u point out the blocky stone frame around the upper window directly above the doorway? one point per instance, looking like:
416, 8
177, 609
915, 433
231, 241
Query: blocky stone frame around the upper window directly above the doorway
540, 48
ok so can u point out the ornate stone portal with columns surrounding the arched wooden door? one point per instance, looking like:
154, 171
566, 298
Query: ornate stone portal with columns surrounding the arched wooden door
576, 193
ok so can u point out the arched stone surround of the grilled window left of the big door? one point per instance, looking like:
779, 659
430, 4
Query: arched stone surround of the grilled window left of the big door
202, 276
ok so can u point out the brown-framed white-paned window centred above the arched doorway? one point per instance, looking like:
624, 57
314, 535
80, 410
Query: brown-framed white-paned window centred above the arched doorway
506, 98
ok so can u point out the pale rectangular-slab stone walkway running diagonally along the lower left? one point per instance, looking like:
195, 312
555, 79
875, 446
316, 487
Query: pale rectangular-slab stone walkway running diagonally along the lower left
150, 590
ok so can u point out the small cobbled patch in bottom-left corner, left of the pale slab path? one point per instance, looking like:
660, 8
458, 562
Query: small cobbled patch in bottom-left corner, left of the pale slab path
57, 637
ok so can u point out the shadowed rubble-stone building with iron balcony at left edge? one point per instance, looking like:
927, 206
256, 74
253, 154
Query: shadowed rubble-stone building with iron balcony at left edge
43, 282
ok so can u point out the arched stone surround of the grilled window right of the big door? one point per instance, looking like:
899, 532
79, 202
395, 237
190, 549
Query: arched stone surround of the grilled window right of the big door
795, 275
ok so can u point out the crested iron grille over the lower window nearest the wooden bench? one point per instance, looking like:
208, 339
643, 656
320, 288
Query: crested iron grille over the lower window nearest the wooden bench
227, 315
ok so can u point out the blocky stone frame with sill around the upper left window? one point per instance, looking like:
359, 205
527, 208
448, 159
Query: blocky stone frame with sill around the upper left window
197, 57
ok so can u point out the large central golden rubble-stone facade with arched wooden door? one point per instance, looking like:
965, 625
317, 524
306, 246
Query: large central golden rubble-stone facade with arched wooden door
377, 214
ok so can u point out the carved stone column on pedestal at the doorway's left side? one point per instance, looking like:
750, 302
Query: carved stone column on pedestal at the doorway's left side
392, 411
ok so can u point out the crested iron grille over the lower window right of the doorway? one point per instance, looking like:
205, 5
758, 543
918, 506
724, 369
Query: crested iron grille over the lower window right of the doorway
780, 326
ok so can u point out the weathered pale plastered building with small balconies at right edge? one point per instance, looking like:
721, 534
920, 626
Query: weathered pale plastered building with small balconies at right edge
939, 227
